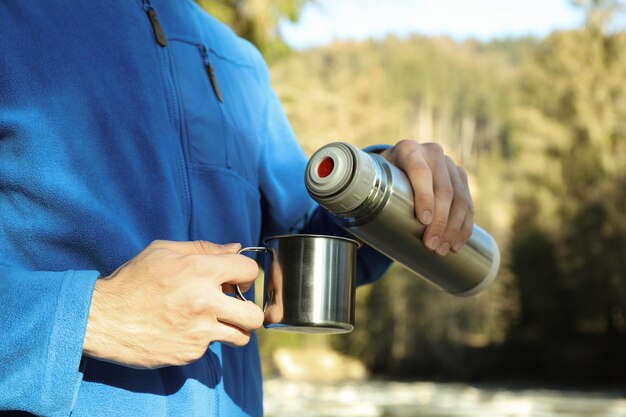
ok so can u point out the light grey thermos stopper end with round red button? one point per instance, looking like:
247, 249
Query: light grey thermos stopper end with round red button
340, 177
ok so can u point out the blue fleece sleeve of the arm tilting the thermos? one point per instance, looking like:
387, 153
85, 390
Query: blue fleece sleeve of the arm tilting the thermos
287, 207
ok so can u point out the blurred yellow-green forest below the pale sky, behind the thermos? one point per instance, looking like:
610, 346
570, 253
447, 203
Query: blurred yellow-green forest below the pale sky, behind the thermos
540, 126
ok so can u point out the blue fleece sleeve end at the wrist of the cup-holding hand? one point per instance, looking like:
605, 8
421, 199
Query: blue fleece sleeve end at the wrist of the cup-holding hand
43, 317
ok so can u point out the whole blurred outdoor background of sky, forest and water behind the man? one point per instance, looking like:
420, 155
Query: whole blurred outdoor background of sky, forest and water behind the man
530, 97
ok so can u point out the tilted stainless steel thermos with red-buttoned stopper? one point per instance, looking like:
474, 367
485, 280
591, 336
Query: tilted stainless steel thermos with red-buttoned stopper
373, 200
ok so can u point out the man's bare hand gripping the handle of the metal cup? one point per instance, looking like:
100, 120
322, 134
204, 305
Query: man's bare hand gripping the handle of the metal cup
166, 305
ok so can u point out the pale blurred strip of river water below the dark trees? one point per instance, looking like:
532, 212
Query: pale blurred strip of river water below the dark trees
284, 398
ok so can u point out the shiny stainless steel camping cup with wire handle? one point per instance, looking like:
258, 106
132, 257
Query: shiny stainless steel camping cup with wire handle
309, 283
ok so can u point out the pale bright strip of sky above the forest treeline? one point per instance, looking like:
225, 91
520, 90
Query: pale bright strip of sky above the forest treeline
322, 21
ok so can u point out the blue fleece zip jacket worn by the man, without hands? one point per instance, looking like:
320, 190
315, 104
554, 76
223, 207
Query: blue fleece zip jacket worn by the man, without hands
122, 122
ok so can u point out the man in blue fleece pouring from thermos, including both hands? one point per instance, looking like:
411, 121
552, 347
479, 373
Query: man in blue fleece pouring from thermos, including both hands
135, 138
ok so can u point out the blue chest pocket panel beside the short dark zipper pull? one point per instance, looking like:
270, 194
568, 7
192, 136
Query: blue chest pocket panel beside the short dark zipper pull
204, 120
